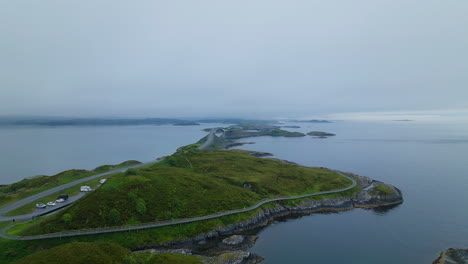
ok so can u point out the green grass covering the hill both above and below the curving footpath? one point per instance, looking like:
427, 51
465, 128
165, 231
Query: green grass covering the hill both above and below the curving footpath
190, 183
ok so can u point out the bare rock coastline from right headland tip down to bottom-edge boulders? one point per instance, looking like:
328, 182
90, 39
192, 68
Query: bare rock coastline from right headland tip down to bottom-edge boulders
363, 199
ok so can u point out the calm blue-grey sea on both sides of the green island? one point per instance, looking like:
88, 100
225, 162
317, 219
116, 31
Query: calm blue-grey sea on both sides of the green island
428, 162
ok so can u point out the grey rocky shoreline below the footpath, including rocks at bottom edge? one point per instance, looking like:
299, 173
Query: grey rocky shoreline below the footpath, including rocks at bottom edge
209, 246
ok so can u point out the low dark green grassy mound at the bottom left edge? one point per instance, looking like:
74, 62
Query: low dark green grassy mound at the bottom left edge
79, 252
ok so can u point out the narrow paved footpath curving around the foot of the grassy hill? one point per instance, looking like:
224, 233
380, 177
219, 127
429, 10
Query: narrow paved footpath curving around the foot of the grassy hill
173, 222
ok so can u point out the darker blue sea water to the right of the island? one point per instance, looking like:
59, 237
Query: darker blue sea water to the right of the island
428, 162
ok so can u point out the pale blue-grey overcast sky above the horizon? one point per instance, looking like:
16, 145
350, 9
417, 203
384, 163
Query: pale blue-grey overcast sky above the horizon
252, 58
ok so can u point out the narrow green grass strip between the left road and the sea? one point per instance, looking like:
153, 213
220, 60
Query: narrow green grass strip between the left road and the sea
27, 187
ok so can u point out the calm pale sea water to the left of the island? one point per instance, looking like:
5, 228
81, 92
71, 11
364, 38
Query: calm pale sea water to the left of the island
30, 151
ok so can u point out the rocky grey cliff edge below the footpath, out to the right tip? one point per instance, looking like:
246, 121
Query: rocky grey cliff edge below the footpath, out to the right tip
370, 196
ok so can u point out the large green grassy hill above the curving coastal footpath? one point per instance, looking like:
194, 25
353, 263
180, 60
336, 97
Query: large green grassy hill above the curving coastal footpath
189, 183
